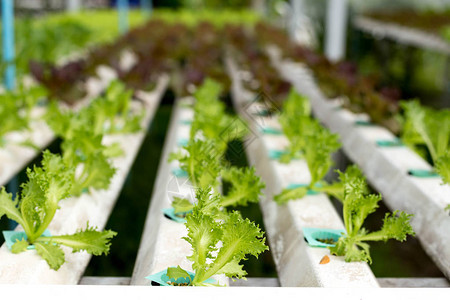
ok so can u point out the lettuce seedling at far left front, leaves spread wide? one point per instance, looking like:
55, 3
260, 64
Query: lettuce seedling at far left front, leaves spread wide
36, 207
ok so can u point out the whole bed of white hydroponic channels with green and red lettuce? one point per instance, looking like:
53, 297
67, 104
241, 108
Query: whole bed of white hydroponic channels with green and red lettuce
192, 235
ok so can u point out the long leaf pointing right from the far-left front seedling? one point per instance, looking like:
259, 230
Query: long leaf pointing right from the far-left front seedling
90, 240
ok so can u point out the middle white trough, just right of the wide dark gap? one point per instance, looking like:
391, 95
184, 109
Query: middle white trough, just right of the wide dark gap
162, 245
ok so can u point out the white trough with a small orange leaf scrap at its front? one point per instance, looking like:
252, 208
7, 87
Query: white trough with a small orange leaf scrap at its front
297, 263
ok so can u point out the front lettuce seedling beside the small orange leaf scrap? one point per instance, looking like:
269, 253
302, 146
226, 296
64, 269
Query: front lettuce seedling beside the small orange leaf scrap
357, 205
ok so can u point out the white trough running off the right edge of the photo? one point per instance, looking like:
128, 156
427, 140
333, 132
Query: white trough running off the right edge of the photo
385, 168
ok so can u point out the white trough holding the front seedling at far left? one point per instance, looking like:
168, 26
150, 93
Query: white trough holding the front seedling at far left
95, 207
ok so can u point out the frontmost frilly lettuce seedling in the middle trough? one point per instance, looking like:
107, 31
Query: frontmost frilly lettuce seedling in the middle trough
218, 246
